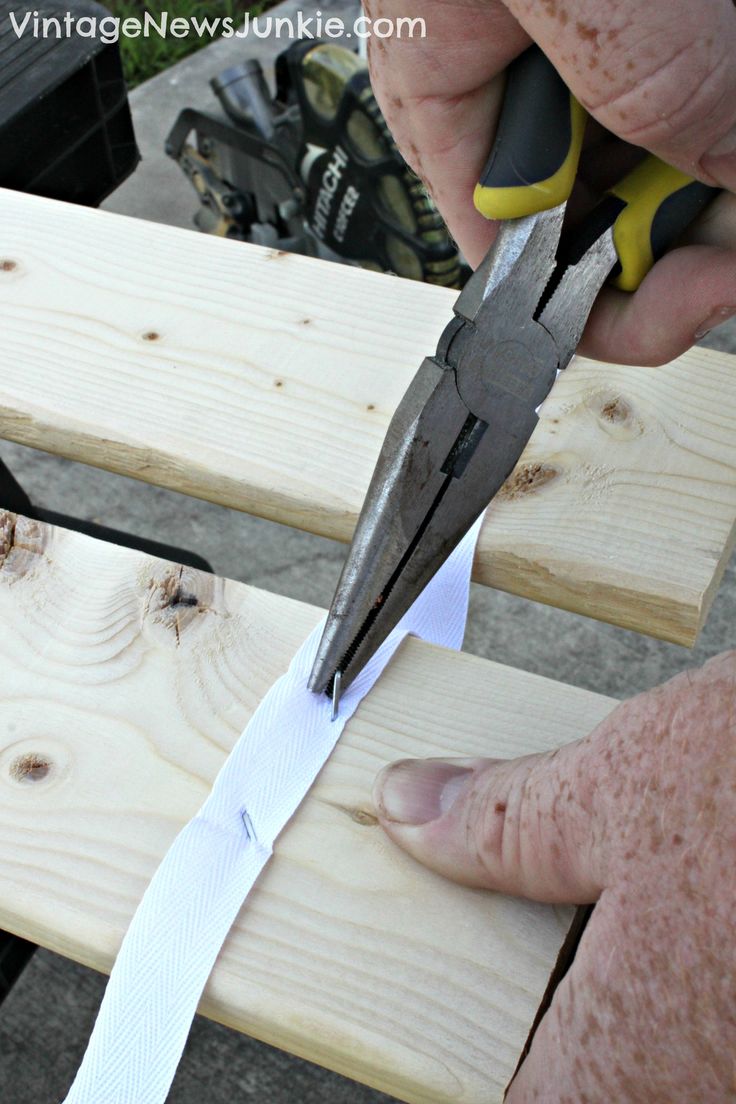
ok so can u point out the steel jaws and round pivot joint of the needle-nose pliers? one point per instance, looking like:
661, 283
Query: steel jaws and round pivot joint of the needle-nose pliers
453, 442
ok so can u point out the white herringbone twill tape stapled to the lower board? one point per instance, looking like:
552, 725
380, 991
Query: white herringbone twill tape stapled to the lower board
198, 890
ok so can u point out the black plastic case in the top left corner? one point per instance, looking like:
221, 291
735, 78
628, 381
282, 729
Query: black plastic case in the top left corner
66, 128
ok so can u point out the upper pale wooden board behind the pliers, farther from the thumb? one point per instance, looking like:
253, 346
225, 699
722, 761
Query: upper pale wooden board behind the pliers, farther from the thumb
265, 381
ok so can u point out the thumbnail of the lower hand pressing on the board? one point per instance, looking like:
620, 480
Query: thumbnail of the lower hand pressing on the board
415, 792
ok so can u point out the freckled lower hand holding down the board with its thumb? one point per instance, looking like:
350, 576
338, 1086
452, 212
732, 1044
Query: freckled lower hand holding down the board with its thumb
641, 816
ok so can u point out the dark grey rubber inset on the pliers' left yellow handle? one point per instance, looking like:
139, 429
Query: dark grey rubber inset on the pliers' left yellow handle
536, 131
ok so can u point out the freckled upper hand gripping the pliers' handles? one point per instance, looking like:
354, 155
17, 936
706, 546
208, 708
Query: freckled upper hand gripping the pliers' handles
659, 76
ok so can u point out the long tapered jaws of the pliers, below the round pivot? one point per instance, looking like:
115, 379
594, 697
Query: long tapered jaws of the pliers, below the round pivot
435, 475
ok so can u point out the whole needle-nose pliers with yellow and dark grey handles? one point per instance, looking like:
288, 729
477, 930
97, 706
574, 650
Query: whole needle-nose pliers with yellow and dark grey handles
471, 410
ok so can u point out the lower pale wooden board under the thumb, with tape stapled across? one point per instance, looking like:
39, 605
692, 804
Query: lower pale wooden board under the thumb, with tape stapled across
118, 708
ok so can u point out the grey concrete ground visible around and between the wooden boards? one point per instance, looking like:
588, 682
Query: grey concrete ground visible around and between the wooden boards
47, 1021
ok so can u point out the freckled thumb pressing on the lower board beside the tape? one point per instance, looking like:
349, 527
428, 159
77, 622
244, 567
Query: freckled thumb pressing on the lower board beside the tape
526, 826
